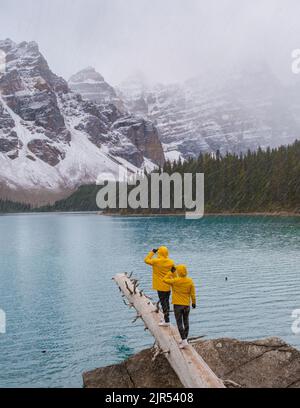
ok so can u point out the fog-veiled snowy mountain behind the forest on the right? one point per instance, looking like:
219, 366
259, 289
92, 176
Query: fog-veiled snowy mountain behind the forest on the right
241, 111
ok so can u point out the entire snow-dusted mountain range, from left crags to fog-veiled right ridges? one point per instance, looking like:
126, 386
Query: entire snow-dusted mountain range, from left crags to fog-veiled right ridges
56, 135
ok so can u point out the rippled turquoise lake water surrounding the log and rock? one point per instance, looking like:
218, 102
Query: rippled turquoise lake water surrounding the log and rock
65, 315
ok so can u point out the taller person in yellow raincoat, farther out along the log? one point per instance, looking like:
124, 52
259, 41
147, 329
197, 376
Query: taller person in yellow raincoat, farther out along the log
161, 265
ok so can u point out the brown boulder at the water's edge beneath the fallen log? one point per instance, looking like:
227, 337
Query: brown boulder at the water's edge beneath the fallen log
268, 363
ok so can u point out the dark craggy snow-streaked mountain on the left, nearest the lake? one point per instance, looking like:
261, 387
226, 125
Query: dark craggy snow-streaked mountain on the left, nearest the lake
53, 139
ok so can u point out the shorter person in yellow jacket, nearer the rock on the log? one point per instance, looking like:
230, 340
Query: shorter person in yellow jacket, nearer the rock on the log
183, 295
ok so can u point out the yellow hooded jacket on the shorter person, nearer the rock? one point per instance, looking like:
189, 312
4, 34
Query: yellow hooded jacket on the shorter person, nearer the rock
183, 288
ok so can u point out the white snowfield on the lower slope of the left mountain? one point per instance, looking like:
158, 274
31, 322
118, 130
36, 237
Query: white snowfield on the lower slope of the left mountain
83, 161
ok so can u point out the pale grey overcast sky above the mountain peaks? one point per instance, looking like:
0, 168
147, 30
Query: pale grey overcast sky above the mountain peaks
168, 40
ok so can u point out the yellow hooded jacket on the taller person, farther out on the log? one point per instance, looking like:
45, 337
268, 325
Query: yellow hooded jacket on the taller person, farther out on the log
162, 265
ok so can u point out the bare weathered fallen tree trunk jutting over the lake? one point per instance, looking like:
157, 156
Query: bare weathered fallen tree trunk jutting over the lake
191, 369
